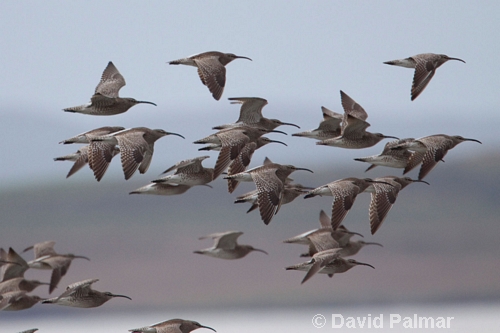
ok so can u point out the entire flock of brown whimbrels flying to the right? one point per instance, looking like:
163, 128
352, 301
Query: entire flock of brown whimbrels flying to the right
328, 246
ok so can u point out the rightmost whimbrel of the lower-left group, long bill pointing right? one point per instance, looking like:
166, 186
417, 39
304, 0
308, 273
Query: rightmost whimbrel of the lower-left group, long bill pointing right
81, 295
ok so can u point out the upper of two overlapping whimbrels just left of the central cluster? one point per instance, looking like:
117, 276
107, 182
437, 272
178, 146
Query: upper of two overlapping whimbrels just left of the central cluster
188, 172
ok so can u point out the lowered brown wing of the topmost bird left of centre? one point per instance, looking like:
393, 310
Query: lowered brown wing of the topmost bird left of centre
212, 74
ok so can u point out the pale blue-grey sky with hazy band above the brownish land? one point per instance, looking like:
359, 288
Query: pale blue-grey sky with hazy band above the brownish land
53, 54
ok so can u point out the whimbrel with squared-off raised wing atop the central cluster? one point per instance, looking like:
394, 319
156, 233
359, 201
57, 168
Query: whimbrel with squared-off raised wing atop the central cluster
251, 114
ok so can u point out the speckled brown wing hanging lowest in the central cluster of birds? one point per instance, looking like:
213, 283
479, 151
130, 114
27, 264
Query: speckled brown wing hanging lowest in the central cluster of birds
270, 193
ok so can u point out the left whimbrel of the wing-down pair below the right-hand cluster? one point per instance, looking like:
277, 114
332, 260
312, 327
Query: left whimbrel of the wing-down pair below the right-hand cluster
344, 192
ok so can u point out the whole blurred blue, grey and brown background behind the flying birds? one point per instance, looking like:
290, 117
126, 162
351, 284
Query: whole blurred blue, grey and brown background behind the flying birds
441, 250
